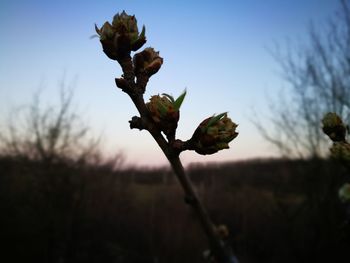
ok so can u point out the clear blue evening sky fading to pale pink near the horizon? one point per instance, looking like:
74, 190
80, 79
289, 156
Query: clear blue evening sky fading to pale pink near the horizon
216, 50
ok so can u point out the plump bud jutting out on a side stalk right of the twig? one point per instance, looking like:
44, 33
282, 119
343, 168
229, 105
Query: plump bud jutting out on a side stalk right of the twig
213, 134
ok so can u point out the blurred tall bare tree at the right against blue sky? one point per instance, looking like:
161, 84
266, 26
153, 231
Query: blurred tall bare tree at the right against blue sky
318, 81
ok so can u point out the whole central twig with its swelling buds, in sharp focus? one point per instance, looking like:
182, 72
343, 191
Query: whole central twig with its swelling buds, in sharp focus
161, 115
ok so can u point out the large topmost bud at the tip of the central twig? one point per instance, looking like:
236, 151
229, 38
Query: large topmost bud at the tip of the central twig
121, 37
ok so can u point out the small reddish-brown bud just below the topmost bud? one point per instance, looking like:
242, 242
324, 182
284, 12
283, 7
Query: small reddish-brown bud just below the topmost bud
148, 60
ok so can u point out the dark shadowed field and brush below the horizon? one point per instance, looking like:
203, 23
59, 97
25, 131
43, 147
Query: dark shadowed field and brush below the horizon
276, 211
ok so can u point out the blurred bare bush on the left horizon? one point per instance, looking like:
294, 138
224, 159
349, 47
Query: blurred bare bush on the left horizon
48, 133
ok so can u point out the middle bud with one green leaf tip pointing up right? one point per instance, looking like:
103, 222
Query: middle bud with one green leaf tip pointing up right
165, 113
